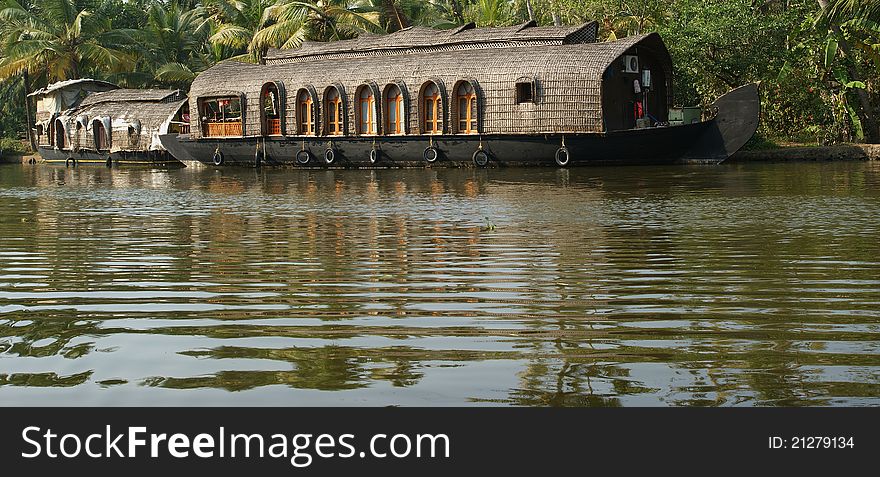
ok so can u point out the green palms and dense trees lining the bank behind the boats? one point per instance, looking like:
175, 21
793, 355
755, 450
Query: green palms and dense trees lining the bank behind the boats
818, 61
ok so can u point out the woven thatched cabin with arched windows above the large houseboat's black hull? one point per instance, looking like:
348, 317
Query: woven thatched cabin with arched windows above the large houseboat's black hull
514, 80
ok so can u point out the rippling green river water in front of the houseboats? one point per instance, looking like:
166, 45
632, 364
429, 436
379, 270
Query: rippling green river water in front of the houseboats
717, 285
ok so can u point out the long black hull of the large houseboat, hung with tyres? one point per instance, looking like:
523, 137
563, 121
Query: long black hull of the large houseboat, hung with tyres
710, 142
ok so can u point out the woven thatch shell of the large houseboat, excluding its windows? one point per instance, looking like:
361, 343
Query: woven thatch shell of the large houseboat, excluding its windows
568, 82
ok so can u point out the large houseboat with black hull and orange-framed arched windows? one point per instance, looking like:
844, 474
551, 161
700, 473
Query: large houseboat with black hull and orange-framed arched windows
485, 96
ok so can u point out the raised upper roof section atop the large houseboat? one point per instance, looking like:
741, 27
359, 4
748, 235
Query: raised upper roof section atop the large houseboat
420, 39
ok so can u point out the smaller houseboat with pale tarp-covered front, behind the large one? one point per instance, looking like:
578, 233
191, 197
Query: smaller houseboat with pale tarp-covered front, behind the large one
88, 121
